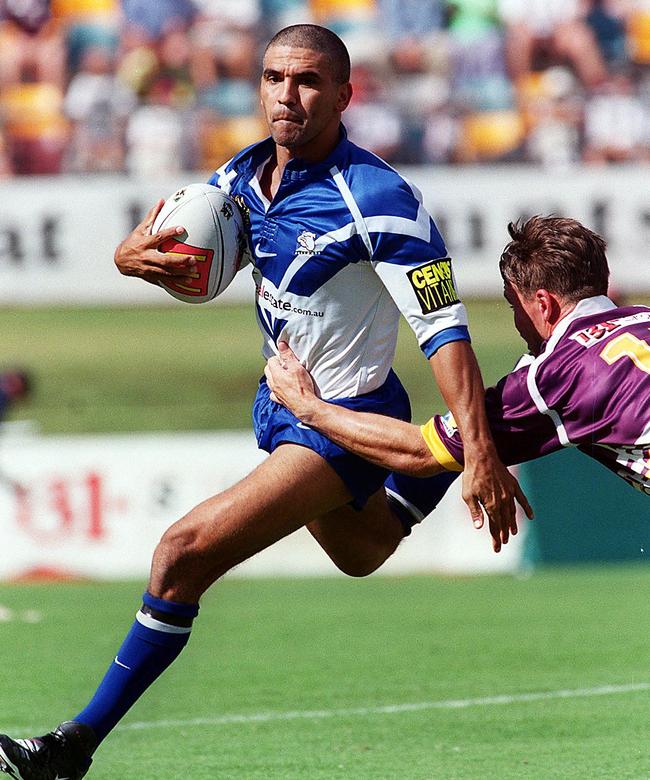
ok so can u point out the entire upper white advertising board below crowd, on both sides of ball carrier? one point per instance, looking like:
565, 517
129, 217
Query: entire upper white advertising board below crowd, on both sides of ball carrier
58, 235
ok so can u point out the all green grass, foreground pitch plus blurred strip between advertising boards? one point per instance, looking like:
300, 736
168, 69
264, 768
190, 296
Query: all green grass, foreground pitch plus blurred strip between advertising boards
423, 678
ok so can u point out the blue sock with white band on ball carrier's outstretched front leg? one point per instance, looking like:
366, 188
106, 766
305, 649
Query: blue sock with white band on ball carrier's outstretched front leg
161, 630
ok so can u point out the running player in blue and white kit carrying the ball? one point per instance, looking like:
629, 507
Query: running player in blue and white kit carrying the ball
341, 245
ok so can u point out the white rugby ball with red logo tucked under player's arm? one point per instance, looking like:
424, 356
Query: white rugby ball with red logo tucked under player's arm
214, 235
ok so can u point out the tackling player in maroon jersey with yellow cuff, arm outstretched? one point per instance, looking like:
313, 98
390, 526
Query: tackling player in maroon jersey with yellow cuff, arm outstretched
585, 383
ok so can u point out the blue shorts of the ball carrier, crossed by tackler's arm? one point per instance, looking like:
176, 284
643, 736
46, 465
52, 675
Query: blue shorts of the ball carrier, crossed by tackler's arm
275, 425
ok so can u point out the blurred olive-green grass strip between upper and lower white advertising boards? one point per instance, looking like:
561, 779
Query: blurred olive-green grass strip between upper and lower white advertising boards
184, 367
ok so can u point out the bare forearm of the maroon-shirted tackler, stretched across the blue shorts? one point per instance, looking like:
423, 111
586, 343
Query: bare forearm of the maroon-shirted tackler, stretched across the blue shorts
385, 441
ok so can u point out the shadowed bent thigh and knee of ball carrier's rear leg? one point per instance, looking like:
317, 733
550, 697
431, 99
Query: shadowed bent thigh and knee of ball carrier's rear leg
359, 542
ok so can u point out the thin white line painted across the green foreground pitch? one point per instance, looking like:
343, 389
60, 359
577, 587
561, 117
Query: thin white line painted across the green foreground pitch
386, 709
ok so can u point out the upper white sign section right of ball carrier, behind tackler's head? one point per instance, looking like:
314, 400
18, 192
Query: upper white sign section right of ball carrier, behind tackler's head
473, 206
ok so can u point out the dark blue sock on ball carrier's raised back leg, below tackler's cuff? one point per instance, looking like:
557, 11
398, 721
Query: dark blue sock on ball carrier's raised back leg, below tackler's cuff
413, 498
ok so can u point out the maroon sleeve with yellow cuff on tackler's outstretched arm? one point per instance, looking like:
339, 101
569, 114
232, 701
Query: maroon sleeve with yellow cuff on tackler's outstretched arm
520, 431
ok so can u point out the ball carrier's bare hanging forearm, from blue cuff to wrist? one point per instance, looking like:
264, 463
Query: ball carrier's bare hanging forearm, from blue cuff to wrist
459, 378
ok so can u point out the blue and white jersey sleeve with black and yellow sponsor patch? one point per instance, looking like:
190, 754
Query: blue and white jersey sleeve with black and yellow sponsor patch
411, 259
